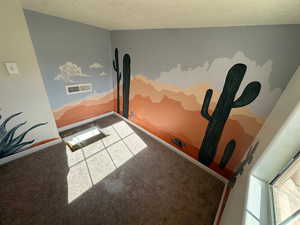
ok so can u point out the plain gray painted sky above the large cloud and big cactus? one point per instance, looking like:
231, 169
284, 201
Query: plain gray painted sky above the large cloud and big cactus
155, 51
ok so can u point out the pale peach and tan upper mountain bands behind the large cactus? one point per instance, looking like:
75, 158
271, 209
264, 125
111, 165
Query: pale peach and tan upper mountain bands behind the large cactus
191, 98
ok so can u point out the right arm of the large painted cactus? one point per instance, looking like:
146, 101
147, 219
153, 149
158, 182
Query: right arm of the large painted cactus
249, 94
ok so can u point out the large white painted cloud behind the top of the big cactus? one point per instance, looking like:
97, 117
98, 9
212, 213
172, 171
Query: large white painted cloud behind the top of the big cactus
215, 72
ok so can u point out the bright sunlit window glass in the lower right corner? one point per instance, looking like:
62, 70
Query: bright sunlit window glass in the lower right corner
286, 194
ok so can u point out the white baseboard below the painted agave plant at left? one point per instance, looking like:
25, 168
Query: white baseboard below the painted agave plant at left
29, 151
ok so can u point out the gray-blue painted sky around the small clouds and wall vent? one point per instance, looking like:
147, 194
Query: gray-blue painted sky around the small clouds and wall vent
57, 41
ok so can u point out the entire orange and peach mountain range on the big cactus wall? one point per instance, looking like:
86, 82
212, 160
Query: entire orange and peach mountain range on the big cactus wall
169, 111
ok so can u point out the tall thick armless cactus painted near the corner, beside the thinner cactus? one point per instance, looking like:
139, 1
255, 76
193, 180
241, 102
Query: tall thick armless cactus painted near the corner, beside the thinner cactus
126, 84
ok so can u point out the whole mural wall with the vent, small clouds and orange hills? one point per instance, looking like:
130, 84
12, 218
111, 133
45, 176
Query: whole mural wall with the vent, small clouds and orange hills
79, 54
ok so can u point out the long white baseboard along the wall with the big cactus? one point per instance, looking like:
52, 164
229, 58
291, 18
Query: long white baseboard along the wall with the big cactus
210, 171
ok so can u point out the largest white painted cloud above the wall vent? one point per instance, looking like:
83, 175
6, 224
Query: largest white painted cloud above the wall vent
68, 71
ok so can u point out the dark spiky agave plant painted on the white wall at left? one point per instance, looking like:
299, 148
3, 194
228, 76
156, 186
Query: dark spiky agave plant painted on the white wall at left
11, 144
